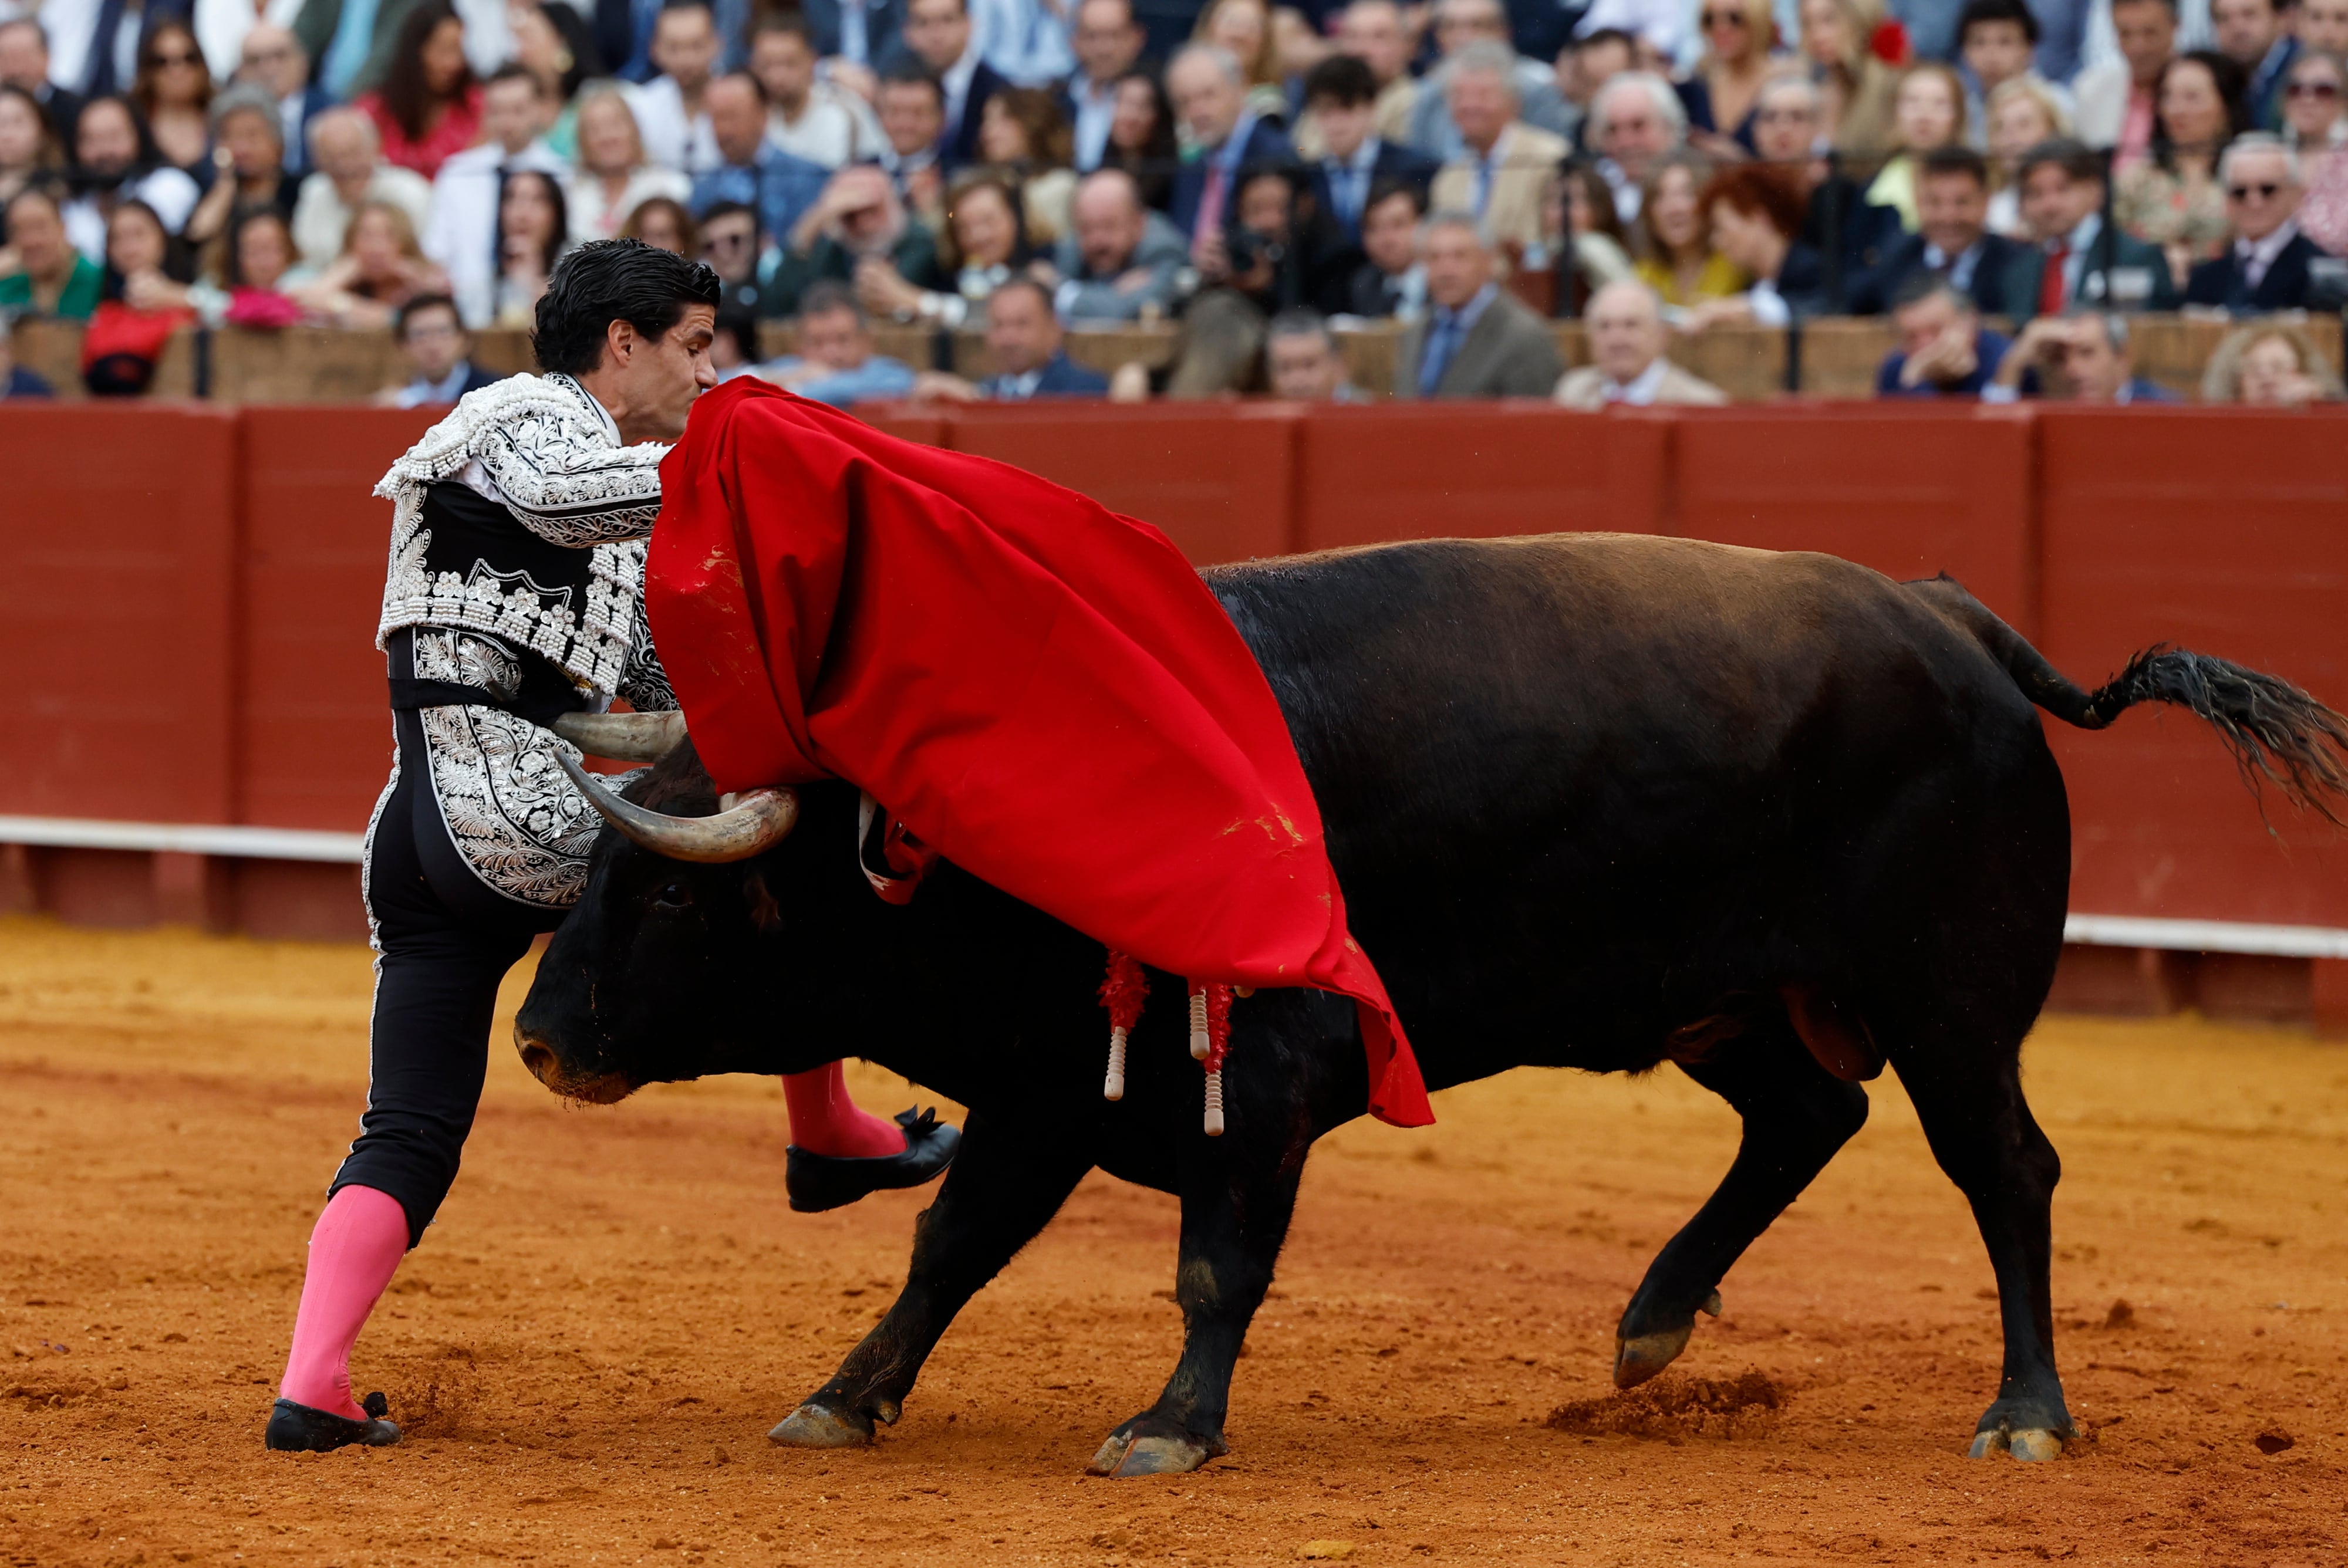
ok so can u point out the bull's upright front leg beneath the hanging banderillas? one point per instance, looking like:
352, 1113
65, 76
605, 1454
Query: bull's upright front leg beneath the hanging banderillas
1236, 1208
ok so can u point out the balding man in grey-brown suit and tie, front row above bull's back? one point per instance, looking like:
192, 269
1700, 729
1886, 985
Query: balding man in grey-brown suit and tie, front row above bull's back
1476, 339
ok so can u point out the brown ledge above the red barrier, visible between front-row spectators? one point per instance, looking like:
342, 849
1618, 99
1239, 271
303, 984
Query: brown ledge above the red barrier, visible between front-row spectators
321, 365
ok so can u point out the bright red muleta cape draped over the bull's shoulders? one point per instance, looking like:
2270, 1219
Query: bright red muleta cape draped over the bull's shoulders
1034, 687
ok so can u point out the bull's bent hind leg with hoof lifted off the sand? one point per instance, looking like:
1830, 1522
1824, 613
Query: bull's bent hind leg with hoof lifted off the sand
1797, 1116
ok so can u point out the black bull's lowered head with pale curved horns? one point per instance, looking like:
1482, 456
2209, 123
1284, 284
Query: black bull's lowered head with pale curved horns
675, 959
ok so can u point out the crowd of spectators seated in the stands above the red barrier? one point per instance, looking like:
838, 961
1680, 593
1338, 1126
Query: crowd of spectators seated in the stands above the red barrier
1264, 175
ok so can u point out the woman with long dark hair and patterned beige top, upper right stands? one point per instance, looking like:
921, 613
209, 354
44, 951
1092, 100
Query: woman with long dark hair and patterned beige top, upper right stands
2173, 201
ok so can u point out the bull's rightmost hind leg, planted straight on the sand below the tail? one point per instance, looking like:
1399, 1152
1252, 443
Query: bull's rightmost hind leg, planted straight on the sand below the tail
1988, 1142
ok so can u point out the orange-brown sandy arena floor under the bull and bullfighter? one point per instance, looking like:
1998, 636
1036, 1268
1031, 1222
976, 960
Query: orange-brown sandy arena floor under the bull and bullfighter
616, 1306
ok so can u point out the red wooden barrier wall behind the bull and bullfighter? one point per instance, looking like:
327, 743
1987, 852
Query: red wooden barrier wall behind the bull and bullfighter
189, 597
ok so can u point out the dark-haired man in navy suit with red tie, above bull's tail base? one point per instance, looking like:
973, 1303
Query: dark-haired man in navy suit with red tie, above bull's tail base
2077, 257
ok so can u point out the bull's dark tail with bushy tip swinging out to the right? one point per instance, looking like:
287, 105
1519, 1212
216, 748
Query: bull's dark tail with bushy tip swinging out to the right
2279, 734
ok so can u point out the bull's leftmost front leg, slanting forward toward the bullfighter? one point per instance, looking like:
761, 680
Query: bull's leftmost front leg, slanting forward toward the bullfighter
1006, 1184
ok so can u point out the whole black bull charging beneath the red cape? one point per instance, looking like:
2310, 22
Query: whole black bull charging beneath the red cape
1595, 804
